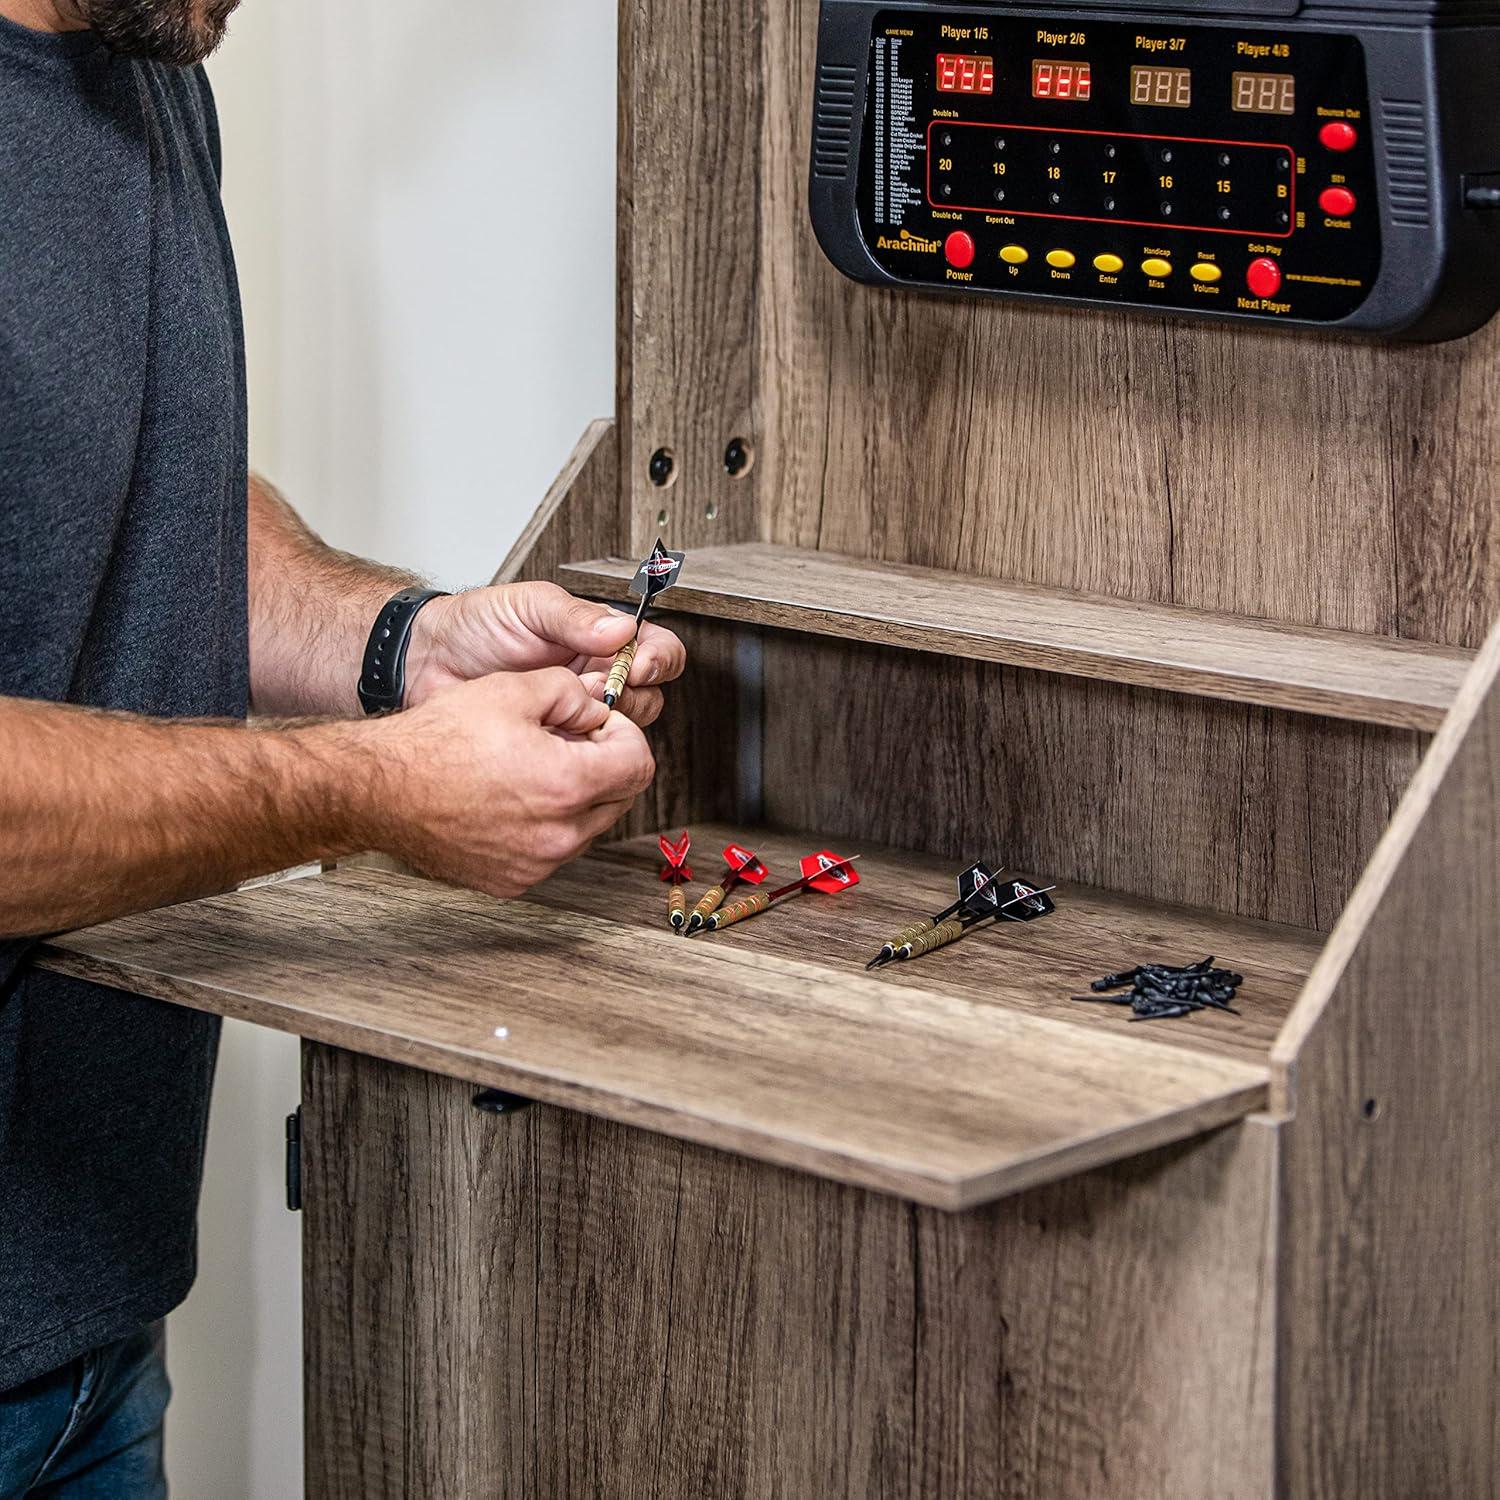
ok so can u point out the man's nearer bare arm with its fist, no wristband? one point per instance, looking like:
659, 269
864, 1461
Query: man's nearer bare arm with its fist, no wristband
493, 784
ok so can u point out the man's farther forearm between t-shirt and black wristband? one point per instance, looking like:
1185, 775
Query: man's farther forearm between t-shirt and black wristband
311, 611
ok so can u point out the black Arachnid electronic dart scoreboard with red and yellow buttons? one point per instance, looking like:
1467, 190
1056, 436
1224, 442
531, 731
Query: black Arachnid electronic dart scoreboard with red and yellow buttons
1321, 166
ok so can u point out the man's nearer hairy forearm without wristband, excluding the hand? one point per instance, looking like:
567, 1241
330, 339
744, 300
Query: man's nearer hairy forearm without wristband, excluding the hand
107, 814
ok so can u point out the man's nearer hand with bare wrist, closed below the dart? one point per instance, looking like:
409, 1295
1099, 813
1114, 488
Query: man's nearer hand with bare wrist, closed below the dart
500, 781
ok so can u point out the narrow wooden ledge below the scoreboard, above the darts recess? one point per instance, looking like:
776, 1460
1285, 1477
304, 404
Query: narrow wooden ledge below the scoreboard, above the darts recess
1375, 680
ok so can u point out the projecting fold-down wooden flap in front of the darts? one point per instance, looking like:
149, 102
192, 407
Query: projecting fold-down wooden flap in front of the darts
898, 1085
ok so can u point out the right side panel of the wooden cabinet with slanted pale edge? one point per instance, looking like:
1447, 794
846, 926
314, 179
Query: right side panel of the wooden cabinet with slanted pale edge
1390, 1300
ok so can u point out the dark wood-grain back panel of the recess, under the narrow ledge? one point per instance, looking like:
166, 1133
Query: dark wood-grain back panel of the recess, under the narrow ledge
1157, 796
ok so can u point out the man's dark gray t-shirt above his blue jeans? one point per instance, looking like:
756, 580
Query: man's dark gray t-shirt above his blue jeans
122, 584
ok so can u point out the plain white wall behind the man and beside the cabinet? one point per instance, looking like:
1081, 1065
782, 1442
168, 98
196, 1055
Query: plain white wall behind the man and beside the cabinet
422, 200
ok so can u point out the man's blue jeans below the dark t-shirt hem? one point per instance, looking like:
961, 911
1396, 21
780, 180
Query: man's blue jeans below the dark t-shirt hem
91, 1430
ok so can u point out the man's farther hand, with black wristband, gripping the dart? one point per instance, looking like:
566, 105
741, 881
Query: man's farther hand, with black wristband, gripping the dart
521, 628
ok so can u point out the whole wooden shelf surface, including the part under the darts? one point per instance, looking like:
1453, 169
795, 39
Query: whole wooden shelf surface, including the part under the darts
950, 1081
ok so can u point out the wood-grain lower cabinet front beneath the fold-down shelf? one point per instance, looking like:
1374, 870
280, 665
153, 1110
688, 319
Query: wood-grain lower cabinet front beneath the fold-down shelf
548, 1304
